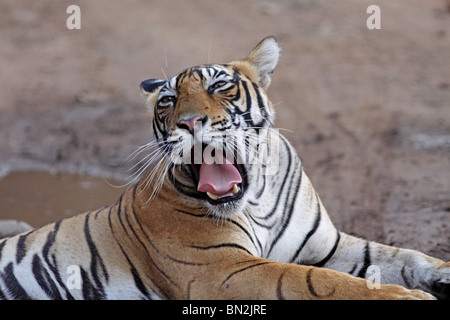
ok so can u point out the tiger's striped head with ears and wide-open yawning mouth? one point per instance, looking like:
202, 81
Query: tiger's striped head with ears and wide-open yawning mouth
209, 120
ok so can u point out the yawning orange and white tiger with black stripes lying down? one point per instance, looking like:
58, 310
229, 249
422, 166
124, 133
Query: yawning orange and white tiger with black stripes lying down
221, 209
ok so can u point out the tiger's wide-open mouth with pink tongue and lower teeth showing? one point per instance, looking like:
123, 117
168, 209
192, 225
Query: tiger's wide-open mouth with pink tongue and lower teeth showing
218, 179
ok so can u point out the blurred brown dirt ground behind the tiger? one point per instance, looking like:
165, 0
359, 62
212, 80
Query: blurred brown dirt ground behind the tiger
367, 110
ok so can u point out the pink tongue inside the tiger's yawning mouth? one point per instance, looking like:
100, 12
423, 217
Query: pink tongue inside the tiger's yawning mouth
218, 178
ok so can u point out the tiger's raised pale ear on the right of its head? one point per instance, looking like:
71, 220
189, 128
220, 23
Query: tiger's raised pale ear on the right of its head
264, 57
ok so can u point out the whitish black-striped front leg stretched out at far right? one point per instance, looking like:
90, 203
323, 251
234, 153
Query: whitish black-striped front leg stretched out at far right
391, 265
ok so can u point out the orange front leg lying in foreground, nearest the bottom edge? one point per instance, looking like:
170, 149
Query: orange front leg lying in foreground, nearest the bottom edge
265, 279
